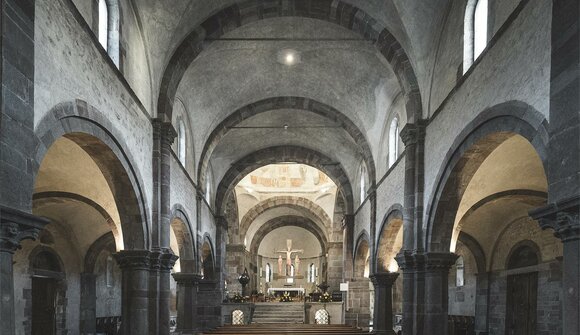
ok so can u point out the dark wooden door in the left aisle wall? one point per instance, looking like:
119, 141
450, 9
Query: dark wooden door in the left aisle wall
43, 306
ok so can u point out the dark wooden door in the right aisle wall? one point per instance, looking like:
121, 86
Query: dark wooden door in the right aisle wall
522, 292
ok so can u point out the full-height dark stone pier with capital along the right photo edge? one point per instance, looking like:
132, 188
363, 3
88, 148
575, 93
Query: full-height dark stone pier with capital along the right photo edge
563, 161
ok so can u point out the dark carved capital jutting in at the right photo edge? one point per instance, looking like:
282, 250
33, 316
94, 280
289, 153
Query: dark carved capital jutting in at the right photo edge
562, 217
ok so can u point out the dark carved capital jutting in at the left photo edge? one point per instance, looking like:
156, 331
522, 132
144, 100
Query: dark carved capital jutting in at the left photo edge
16, 226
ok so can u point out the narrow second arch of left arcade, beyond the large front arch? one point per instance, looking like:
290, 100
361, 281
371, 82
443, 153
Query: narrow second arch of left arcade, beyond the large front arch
183, 231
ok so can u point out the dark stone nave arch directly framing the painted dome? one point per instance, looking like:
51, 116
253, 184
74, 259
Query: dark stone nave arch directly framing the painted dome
283, 154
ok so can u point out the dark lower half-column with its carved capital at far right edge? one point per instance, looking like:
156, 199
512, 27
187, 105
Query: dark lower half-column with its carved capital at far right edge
563, 218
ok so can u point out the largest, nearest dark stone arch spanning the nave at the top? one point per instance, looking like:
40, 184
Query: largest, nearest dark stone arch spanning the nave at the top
336, 12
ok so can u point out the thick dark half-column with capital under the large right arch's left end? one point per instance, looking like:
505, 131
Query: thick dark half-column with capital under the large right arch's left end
437, 267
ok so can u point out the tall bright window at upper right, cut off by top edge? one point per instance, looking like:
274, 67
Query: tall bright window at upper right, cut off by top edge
475, 31
